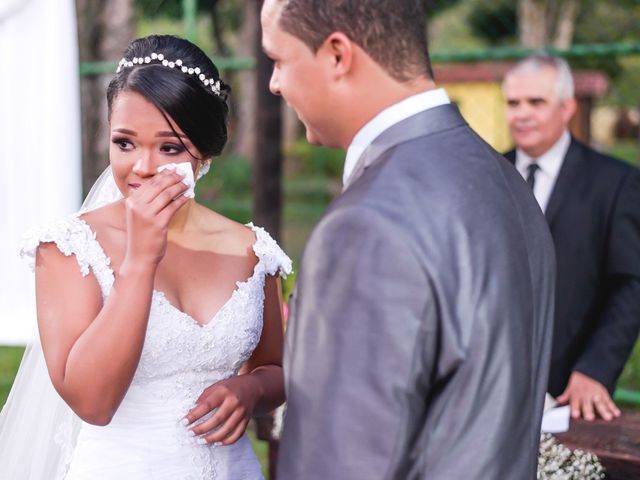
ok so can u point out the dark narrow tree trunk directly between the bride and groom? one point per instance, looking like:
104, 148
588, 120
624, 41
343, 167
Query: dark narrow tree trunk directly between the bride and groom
267, 197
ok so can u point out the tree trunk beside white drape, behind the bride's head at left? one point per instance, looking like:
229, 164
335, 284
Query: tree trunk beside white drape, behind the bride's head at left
104, 31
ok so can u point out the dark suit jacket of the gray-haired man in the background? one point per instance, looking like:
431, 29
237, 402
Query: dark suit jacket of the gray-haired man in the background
594, 218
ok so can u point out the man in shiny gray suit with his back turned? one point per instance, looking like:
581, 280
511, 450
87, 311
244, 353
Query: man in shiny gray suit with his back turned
418, 345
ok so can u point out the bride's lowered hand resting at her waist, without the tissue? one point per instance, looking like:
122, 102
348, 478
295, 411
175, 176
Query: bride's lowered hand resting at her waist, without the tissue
233, 400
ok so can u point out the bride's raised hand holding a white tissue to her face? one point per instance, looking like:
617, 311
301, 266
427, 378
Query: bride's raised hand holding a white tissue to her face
149, 210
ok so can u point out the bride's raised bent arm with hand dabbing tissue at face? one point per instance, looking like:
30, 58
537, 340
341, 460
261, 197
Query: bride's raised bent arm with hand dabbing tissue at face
92, 350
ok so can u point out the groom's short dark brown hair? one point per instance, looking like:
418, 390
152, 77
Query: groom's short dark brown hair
392, 32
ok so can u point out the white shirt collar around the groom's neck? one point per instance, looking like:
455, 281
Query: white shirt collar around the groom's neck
387, 118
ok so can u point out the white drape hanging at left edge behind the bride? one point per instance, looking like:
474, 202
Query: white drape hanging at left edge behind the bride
40, 167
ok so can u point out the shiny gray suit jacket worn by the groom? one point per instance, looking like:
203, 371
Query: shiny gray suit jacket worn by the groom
419, 341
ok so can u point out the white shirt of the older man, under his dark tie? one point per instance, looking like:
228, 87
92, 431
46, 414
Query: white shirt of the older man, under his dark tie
550, 163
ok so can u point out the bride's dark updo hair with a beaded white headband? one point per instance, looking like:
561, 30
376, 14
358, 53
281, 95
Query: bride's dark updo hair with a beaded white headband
182, 82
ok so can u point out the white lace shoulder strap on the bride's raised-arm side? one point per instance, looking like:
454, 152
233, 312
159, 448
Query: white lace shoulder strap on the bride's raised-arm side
72, 236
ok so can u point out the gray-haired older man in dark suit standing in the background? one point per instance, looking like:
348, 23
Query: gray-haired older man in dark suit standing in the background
592, 204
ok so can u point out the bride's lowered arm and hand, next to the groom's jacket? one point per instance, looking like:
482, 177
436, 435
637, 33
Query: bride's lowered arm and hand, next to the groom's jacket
257, 390
